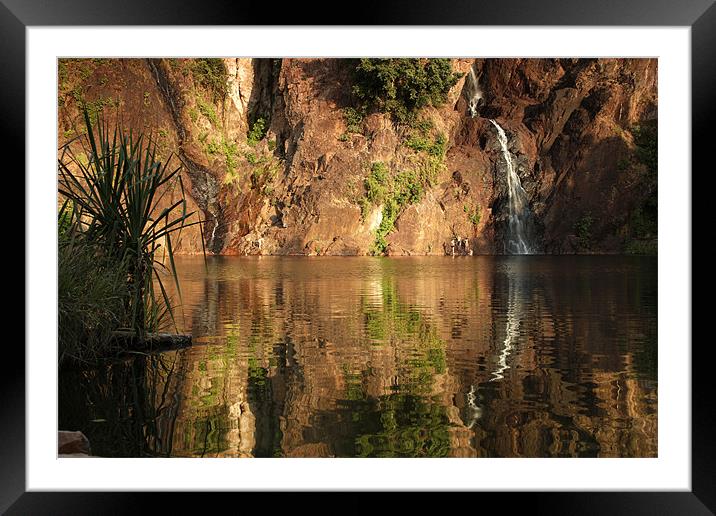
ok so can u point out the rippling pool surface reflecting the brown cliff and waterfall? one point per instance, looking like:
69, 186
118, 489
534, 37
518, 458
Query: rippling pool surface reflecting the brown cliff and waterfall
416, 357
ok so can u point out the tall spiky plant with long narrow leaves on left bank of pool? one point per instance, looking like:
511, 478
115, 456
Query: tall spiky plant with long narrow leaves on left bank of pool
116, 187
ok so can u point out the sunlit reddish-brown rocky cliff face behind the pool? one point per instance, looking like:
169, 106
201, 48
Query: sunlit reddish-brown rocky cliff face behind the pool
274, 165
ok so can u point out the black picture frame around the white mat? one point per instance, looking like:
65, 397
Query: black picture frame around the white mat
699, 15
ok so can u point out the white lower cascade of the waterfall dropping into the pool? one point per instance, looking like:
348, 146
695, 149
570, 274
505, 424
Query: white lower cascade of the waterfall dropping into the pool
517, 240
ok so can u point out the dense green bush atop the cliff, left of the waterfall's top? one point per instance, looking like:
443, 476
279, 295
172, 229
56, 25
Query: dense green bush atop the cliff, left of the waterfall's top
403, 86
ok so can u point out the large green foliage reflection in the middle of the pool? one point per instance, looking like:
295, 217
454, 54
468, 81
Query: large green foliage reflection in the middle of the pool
407, 423
